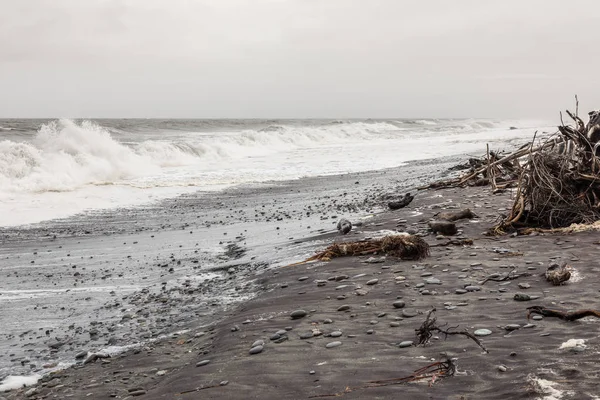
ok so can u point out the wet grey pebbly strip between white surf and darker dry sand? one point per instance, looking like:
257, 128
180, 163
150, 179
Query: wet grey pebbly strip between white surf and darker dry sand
202, 248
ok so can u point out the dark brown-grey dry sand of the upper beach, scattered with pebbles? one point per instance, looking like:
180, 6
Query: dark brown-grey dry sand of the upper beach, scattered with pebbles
535, 366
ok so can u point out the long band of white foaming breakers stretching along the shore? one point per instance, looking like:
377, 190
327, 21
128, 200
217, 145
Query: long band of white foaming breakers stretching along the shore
65, 155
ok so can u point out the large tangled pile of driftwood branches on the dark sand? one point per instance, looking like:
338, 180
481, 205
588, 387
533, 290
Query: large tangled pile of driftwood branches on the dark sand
557, 180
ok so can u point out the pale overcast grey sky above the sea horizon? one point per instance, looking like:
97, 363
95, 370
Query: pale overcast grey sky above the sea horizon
297, 58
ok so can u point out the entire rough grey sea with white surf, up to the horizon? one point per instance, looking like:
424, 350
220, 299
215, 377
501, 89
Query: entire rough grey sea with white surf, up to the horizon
56, 168
